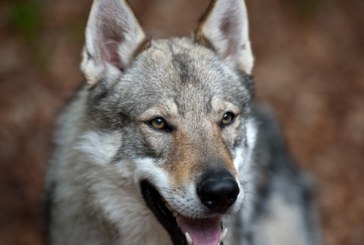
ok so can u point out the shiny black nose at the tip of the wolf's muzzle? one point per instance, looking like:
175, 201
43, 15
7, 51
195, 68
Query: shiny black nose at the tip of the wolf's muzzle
217, 190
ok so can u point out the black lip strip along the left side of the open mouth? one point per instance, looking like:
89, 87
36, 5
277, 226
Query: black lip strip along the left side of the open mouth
156, 204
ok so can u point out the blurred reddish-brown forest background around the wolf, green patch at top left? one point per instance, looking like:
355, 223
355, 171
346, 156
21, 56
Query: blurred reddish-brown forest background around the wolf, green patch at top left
309, 68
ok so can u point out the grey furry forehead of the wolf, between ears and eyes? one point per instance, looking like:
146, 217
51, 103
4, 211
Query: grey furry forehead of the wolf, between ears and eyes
181, 71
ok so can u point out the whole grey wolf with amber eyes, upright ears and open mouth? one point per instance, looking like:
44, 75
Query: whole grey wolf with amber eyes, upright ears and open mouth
165, 144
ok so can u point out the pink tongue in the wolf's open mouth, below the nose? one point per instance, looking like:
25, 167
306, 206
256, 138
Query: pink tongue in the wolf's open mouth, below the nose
202, 231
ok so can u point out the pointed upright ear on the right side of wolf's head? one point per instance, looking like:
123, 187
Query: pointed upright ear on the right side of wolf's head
224, 28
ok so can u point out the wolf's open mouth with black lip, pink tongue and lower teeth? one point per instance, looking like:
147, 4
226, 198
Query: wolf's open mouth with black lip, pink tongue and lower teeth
183, 230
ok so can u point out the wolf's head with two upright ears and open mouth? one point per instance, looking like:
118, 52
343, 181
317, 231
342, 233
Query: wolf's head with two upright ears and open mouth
181, 107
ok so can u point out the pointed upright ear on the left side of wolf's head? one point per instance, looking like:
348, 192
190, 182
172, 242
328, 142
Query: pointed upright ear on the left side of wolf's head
113, 34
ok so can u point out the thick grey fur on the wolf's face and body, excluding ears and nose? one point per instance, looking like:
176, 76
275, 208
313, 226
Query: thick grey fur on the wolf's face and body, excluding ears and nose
105, 147
